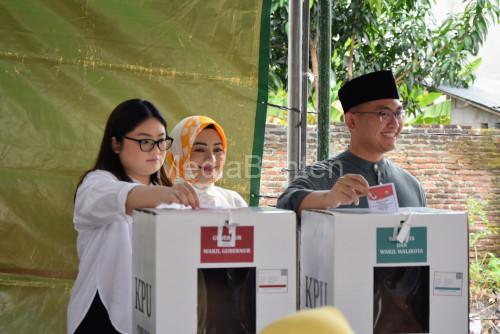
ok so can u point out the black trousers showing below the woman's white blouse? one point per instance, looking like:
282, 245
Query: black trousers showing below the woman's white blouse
96, 320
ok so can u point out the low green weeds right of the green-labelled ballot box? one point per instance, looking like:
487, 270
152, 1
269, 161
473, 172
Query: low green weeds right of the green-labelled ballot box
484, 270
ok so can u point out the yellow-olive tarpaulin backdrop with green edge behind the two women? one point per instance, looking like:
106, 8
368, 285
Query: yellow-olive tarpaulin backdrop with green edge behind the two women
64, 65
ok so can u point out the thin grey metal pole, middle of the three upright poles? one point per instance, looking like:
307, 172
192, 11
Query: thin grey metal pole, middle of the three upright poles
304, 83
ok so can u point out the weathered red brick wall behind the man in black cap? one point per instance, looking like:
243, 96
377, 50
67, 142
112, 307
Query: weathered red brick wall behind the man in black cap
453, 163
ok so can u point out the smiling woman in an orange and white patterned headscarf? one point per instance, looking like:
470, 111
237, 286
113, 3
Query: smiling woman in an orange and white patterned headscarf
198, 156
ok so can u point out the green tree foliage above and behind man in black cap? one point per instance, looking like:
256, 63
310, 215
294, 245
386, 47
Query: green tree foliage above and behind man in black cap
400, 35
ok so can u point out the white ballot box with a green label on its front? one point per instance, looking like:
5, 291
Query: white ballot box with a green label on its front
403, 272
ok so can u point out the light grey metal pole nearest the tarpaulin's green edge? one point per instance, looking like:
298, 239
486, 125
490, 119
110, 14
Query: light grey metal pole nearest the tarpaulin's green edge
294, 75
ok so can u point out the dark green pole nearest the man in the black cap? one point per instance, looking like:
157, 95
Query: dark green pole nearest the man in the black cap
324, 60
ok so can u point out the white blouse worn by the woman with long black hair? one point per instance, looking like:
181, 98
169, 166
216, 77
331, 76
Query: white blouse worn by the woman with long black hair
104, 248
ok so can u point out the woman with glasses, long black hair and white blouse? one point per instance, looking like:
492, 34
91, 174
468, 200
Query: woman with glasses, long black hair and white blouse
128, 174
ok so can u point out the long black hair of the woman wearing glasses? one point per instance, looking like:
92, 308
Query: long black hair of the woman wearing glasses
123, 119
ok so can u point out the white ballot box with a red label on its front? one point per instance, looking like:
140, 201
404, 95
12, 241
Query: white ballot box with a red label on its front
212, 270
